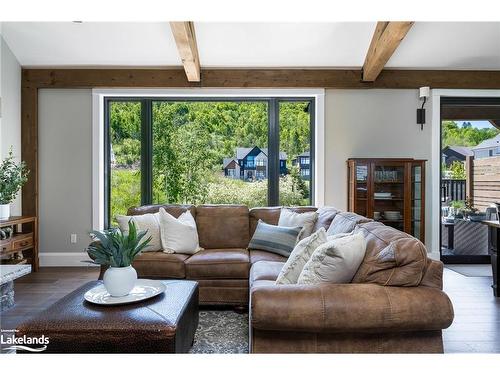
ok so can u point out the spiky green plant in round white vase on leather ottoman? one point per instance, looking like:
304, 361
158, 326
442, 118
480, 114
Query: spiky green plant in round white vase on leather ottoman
117, 249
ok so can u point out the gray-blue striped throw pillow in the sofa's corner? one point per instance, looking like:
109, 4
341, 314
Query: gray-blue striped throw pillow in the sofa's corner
275, 239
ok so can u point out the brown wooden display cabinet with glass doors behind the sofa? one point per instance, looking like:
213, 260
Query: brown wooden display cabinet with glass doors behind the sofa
391, 191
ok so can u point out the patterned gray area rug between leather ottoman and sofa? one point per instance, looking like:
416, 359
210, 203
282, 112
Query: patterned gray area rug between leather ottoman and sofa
221, 332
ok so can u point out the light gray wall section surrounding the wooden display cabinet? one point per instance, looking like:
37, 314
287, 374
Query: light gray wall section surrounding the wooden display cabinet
373, 123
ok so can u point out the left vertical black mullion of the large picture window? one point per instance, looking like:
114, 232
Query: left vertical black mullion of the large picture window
146, 152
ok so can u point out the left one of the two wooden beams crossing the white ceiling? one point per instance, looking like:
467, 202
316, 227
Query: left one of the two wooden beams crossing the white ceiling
185, 39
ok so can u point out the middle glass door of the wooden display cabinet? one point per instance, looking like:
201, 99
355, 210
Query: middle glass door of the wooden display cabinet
389, 195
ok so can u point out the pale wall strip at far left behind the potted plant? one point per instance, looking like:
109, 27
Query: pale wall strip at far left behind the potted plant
10, 132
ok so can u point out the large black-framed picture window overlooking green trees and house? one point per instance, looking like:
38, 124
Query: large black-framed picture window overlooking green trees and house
256, 152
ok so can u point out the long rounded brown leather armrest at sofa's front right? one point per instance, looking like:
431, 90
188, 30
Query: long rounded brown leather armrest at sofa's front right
349, 308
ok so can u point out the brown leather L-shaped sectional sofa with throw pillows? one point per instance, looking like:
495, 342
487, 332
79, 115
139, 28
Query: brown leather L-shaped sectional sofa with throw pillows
395, 302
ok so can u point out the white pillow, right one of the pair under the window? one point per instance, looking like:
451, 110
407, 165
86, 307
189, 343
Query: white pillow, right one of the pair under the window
178, 235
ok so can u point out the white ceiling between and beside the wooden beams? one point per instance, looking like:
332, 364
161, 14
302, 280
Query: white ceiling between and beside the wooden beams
428, 45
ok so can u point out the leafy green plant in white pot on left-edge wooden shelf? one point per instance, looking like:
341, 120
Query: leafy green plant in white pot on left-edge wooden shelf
12, 178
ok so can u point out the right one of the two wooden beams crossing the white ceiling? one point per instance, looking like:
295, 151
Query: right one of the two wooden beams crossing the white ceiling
385, 40
